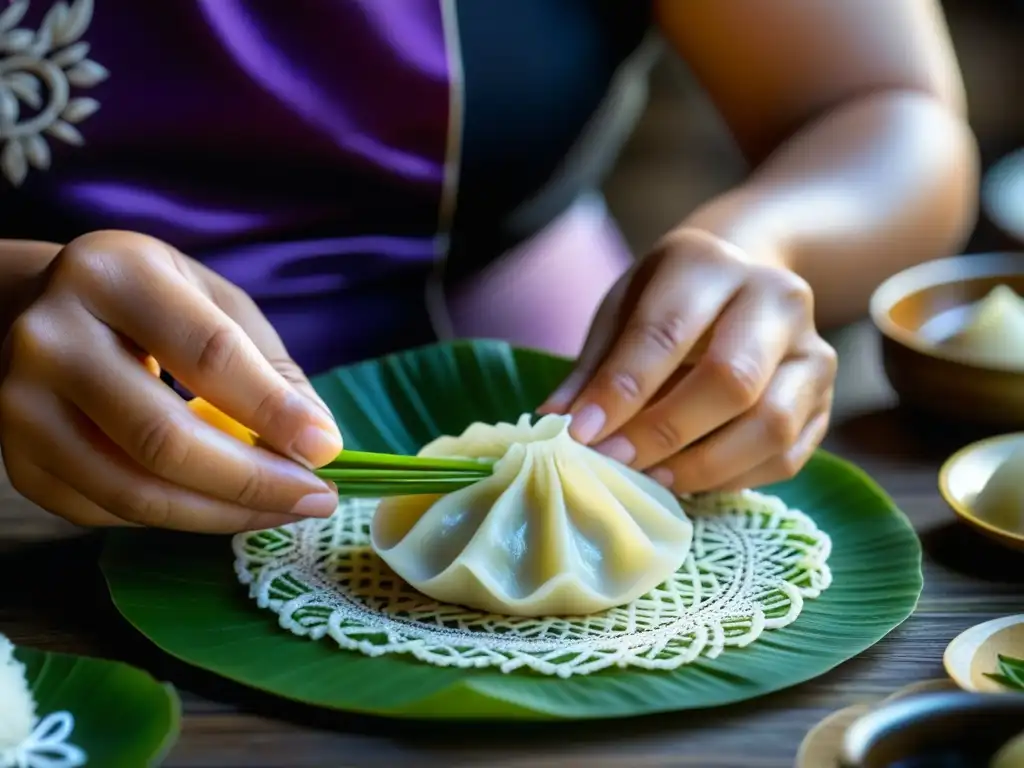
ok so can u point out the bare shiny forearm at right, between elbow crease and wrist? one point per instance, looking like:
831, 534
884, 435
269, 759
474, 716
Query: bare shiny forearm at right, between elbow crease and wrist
879, 185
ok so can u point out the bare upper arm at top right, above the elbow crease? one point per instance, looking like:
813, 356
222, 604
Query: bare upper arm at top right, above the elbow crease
772, 66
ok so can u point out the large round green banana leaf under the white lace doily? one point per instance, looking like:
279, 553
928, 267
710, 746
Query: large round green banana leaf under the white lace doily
181, 590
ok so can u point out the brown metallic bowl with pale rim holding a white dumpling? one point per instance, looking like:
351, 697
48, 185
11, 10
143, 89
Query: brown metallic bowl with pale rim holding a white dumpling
917, 310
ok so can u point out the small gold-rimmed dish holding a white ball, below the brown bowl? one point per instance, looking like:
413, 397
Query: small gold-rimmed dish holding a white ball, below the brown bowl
964, 476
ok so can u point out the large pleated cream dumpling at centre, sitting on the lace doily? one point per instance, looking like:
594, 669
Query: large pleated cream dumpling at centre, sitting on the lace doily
558, 530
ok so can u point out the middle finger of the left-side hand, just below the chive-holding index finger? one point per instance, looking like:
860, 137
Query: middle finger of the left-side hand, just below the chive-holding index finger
155, 428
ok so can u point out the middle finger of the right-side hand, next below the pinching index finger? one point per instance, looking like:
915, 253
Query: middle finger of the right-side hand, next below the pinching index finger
748, 344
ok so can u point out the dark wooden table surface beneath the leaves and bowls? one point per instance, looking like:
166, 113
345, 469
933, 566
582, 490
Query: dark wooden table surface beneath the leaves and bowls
52, 598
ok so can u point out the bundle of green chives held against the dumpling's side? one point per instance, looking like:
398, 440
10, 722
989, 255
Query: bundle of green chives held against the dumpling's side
358, 474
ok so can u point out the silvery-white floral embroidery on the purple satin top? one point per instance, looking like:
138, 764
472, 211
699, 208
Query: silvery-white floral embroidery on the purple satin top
38, 70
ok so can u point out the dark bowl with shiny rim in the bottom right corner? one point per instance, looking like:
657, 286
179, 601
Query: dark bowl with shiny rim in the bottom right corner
952, 730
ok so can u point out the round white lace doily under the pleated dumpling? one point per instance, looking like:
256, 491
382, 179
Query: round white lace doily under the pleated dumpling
753, 564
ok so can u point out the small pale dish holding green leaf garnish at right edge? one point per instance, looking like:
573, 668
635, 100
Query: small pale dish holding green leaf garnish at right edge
976, 652
